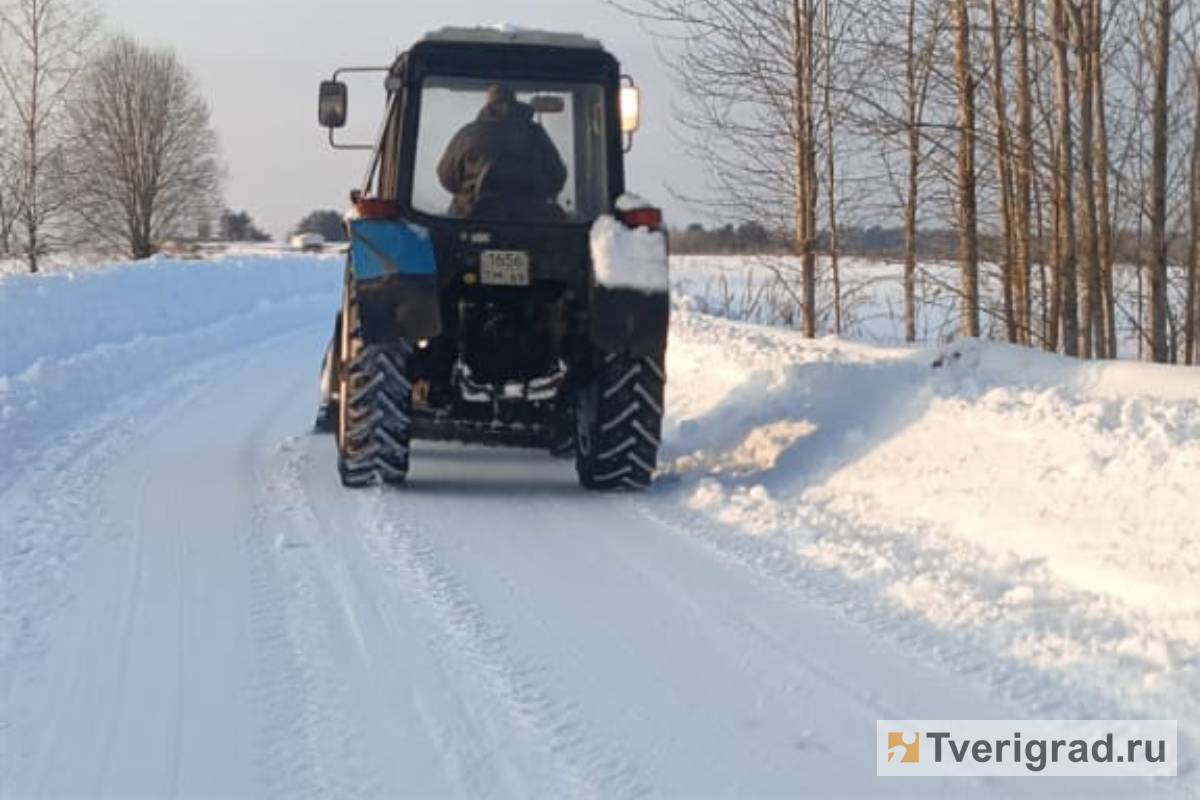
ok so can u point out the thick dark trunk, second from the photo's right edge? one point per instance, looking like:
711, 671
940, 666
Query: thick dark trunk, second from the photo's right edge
1159, 299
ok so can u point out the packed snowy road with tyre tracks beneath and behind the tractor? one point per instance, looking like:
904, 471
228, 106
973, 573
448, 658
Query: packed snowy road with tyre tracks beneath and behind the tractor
193, 607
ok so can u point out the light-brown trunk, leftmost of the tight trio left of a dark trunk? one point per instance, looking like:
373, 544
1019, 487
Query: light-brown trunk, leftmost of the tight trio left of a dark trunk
1065, 197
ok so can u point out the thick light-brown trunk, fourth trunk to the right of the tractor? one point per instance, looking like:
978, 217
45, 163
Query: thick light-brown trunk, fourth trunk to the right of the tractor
969, 222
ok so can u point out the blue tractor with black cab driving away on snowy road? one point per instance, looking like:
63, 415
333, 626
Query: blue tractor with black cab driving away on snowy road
501, 285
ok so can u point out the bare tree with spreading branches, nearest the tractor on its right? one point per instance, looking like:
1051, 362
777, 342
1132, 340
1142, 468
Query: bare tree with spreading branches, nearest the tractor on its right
751, 112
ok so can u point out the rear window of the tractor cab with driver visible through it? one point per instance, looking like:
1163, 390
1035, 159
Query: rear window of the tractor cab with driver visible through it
512, 152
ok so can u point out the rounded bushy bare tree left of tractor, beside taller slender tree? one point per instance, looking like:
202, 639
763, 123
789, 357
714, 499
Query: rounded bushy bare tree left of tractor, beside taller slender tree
146, 153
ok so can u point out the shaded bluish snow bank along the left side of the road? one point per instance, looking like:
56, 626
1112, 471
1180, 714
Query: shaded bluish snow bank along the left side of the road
77, 341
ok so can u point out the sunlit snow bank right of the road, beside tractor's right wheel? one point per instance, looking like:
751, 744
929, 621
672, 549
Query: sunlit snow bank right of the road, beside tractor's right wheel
1009, 512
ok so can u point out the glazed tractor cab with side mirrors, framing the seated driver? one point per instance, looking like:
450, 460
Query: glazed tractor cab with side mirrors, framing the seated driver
569, 86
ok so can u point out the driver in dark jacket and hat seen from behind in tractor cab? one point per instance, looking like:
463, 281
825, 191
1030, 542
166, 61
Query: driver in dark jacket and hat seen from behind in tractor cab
503, 165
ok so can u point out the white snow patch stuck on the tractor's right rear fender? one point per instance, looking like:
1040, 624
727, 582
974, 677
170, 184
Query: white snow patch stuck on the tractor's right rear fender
628, 258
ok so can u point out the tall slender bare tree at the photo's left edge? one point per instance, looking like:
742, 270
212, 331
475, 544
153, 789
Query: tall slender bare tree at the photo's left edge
45, 47
